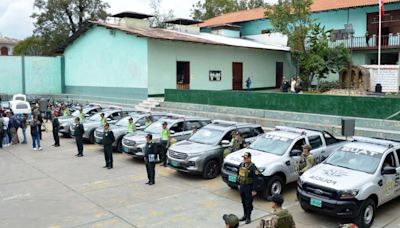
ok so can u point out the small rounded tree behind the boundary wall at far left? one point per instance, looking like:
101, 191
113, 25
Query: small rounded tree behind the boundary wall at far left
31, 46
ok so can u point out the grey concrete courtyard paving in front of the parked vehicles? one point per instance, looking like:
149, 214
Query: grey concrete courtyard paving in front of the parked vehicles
53, 188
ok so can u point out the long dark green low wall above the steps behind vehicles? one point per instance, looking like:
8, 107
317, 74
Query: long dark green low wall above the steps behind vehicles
369, 107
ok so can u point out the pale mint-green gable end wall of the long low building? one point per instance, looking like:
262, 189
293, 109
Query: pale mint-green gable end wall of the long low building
107, 62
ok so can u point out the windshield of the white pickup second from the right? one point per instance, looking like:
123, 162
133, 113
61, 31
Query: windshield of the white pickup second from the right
271, 144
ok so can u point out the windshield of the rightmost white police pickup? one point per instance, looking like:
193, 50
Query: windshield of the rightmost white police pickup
355, 161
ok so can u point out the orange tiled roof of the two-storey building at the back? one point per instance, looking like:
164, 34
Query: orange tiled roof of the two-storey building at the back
259, 13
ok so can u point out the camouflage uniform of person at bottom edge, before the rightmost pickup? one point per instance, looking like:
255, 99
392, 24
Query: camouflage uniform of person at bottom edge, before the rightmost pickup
280, 219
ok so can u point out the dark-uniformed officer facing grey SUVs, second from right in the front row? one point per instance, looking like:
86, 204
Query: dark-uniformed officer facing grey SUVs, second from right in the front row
150, 157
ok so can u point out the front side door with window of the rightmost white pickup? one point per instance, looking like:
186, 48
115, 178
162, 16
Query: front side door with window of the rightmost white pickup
387, 188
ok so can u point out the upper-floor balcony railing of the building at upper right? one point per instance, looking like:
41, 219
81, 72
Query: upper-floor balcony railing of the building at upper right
363, 42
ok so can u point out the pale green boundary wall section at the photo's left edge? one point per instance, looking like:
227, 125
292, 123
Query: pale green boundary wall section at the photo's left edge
11, 74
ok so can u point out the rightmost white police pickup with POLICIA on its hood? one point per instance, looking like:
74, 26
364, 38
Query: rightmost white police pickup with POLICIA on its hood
356, 179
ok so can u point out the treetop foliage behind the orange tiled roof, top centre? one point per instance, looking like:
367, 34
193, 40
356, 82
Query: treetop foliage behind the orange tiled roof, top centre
203, 10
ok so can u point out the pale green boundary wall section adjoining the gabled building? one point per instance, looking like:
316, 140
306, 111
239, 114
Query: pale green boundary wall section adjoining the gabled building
42, 75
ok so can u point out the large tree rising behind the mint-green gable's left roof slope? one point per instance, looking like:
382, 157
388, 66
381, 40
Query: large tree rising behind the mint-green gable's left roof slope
56, 20
